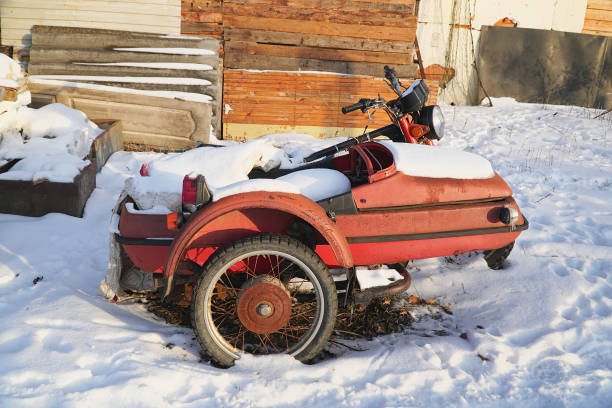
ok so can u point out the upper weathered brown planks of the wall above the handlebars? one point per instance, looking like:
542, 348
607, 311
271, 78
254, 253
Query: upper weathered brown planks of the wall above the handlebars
343, 36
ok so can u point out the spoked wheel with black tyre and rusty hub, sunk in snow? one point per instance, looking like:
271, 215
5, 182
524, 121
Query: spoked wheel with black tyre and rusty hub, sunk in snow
264, 294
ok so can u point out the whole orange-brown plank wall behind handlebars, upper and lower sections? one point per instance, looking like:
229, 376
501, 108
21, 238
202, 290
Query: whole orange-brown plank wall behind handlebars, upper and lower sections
350, 40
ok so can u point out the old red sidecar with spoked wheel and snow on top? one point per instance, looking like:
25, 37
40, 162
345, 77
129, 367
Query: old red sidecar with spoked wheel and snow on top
260, 261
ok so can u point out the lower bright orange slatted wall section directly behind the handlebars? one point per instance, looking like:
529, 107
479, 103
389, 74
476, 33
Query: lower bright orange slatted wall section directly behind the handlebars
264, 102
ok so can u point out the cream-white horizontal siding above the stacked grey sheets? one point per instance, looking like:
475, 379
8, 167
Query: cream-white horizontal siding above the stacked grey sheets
154, 16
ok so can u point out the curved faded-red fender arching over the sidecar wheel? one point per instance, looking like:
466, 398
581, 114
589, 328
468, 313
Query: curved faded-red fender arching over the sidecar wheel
294, 204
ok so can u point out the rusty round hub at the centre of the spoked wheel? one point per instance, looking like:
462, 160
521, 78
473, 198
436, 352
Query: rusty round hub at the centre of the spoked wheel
263, 304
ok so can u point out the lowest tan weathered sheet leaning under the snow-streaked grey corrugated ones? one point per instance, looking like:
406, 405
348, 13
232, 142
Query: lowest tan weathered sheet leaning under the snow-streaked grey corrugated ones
155, 122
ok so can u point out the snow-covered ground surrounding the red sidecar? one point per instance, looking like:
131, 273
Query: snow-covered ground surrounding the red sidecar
543, 325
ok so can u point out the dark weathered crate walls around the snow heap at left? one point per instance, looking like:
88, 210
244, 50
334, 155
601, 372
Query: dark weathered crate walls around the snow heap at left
37, 198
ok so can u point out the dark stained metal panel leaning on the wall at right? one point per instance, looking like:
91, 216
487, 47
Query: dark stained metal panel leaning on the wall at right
543, 66
